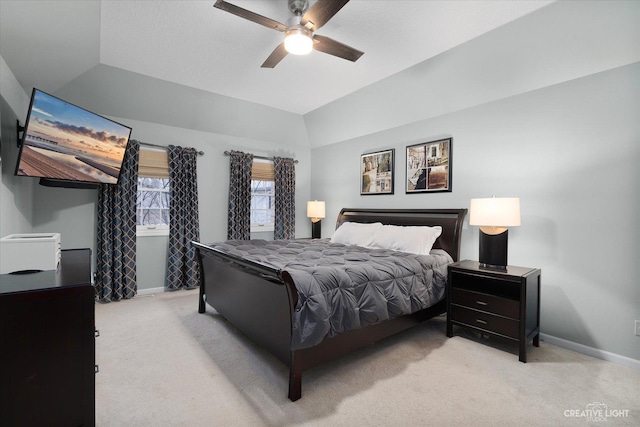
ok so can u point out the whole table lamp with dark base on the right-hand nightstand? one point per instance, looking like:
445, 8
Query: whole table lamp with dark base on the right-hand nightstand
494, 216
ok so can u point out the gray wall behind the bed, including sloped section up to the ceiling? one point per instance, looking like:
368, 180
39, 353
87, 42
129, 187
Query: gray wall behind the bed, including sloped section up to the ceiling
560, 130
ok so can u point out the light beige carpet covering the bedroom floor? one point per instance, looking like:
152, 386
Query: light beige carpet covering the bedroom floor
163, 364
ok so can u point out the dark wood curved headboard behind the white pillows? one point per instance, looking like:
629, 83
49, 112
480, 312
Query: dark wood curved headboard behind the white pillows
450, 220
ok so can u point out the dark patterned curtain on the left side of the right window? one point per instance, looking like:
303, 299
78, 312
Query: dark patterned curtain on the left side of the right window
239, 224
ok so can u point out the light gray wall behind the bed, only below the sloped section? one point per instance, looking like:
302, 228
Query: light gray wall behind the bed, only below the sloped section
571, 153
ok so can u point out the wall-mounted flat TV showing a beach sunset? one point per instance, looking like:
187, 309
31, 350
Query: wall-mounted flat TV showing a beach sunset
65, 142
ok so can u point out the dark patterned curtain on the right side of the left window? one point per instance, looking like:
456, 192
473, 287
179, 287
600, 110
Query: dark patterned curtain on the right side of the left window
182, 264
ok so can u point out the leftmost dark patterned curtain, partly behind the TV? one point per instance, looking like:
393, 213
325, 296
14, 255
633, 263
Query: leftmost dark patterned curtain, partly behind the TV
116, 245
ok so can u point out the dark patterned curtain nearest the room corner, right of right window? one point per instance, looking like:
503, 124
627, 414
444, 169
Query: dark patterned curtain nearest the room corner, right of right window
285, 198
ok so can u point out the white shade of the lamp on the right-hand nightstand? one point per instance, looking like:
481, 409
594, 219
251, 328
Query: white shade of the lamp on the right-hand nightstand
495, 212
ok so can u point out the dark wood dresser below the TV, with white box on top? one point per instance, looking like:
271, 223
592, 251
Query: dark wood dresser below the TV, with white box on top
47, 355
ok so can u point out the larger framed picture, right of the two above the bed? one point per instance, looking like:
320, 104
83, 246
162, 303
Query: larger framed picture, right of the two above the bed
429, 167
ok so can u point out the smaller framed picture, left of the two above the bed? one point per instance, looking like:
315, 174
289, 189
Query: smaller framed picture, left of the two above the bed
377, 172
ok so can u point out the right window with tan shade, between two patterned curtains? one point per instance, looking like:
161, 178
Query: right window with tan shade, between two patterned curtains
262, 196
